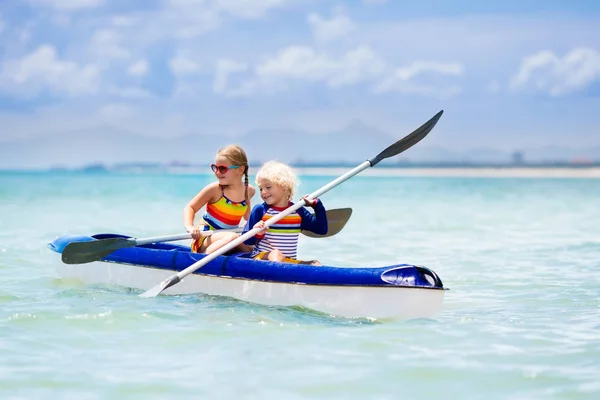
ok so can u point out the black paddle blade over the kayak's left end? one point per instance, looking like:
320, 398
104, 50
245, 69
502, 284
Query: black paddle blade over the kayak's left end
85, 252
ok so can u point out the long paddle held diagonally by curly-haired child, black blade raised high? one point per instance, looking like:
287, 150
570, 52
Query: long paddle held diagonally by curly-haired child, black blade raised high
396, 148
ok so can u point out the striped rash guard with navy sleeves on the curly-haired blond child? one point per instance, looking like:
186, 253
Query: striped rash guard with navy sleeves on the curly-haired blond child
283, 235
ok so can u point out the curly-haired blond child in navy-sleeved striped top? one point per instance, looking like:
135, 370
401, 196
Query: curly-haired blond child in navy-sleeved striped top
277, 183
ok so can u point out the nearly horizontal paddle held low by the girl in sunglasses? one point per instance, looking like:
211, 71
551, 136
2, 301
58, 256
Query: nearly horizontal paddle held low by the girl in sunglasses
85, 252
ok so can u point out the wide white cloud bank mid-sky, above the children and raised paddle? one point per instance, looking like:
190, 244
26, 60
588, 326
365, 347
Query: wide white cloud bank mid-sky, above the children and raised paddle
297, 64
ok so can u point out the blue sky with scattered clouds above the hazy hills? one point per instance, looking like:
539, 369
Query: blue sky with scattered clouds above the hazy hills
508, 74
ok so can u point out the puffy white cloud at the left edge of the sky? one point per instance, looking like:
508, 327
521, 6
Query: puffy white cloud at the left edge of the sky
44, 70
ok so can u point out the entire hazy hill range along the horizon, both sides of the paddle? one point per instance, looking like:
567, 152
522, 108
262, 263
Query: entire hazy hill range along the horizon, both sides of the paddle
352, 144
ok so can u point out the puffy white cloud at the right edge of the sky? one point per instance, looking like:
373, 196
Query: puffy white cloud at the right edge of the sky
547, 72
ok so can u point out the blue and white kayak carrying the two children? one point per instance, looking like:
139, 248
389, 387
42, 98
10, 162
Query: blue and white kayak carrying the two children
399, 292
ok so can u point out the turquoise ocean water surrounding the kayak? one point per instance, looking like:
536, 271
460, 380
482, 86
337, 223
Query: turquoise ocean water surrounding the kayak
521, 257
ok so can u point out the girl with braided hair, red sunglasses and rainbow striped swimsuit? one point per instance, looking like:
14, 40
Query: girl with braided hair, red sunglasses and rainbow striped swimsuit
227, 202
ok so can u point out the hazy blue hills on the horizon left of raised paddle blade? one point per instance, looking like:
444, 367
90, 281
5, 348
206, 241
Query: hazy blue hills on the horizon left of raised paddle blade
116, 146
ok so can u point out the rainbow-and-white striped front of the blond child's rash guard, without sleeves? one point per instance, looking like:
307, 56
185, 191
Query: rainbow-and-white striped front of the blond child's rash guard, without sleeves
282, 235
